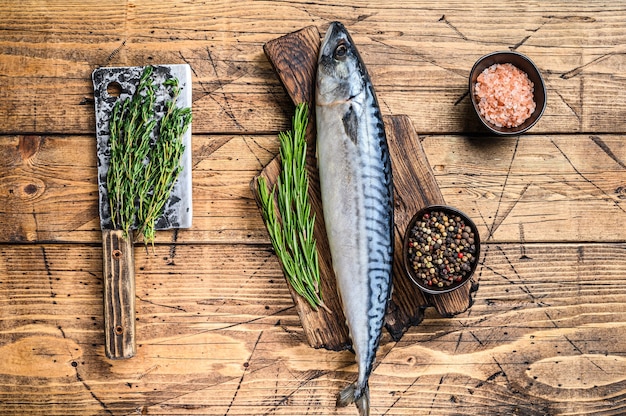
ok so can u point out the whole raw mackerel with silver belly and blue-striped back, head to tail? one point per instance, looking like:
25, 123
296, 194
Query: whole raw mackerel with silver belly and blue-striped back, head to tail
357, 198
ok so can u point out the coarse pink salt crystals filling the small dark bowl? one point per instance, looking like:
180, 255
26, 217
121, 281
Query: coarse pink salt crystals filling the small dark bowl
505, 95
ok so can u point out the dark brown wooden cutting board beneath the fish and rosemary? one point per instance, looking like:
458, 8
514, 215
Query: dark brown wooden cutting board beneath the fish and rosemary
294, 57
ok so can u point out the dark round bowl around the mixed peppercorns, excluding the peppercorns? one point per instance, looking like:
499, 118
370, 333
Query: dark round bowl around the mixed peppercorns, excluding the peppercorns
408, 257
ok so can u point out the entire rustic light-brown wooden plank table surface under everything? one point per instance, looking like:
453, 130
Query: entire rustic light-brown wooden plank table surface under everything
217, 331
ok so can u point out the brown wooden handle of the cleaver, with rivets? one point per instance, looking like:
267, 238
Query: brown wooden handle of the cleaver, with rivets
119, 295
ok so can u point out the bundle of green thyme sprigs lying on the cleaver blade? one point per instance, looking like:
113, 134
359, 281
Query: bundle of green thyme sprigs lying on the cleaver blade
142, 169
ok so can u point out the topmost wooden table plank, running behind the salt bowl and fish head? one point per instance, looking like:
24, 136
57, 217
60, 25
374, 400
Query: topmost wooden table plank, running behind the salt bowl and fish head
419, 56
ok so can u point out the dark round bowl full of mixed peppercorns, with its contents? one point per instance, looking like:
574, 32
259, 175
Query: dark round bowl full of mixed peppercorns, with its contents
441, 249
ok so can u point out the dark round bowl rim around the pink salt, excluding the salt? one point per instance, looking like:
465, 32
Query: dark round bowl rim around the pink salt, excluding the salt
525, 64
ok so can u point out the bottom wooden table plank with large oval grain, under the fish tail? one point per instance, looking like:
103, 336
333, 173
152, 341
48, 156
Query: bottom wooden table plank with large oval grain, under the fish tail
224, 338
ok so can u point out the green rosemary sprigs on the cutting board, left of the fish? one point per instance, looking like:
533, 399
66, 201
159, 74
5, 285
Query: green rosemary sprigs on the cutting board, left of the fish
291, 228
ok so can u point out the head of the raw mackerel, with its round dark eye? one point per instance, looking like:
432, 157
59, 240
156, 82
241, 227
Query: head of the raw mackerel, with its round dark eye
341, 74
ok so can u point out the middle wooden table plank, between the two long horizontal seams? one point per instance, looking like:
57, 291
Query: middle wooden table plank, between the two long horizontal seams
532, 189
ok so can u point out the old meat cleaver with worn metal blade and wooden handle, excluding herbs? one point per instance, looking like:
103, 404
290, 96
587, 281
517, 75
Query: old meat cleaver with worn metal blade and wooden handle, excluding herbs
112, 84
